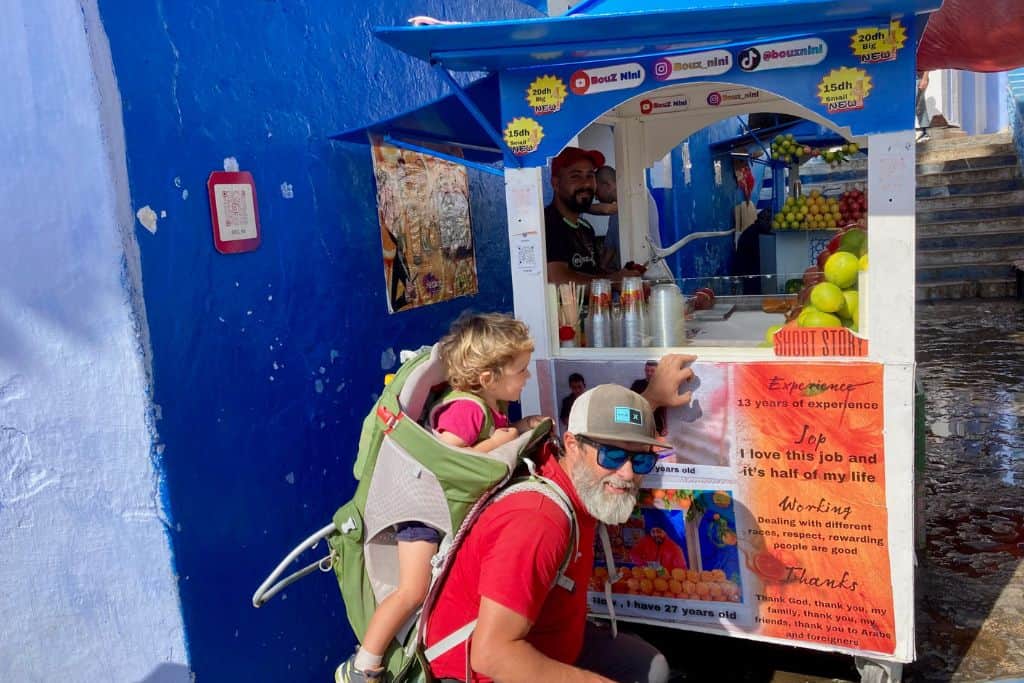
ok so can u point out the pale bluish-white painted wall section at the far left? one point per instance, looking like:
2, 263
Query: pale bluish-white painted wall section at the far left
89, 591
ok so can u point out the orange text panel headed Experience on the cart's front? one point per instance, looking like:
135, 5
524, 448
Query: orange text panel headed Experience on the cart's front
809, 445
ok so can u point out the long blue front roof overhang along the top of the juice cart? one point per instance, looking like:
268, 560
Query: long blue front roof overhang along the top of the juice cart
609, 28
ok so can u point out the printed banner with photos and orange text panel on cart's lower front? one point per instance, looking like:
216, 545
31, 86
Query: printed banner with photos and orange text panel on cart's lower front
766, 518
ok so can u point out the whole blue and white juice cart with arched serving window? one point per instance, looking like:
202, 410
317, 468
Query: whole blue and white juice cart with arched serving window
786, 511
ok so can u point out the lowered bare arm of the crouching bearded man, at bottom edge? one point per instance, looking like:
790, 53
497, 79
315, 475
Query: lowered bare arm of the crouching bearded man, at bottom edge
500, 651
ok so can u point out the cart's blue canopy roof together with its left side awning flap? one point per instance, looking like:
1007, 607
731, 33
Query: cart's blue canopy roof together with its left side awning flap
593, 30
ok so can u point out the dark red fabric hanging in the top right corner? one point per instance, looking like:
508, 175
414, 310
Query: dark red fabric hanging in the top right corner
974, 35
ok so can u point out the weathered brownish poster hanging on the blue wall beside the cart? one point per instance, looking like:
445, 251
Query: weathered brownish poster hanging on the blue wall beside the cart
426, 232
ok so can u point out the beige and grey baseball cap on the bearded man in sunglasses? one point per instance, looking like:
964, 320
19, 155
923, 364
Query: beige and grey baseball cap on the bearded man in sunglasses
611, 412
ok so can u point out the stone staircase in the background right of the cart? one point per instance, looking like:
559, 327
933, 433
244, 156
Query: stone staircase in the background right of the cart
970, 218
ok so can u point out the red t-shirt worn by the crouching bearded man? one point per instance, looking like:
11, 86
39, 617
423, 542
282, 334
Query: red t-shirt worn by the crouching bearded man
513, 557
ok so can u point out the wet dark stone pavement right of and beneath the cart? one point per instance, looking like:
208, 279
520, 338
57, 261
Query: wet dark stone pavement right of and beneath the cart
970, 579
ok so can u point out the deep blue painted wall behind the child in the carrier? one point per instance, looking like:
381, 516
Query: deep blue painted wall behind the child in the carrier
266, 364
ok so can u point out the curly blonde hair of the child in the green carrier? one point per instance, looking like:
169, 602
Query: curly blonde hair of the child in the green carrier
482, 343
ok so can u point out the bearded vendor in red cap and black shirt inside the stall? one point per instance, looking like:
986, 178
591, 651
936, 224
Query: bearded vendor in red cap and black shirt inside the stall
572, 244
